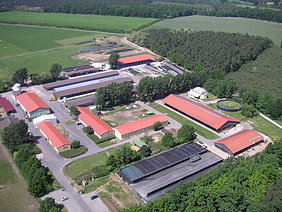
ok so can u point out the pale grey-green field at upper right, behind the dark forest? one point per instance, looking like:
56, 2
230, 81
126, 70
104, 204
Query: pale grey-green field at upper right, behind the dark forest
226, 24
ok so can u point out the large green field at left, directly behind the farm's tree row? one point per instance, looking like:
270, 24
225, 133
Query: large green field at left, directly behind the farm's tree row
38, 48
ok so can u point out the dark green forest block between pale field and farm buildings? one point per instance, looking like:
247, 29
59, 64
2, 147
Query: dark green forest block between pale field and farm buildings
212, 50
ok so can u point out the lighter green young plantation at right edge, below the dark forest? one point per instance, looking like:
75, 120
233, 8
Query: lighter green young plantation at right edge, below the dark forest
263, 74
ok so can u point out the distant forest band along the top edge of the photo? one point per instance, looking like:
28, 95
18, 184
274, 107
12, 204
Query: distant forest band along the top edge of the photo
146, 8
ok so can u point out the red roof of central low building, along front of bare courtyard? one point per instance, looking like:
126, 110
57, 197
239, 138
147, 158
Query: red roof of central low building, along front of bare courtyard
140, 124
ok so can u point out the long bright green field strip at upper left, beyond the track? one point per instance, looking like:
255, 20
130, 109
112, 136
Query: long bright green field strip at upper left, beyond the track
79, 21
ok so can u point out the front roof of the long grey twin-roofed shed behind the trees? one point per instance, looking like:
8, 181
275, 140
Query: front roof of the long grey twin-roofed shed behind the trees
89, 88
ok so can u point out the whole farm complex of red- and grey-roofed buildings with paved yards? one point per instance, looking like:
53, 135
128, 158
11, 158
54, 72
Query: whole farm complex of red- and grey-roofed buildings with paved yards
48, 110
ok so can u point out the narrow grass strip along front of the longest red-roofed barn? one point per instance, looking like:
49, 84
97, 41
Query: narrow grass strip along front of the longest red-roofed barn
200, 130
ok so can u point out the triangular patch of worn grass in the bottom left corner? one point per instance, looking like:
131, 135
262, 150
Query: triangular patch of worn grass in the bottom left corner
13, 194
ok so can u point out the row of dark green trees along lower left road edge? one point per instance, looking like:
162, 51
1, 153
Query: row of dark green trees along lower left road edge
17, 140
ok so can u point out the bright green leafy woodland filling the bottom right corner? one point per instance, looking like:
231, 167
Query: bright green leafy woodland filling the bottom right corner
240, 184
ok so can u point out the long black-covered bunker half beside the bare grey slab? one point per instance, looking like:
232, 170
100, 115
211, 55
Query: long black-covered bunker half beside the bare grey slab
161, 161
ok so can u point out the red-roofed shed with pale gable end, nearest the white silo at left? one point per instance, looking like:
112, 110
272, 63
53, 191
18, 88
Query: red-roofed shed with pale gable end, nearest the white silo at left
33, 105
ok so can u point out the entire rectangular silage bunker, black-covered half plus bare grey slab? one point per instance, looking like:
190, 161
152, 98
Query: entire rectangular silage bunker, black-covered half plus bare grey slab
153, 177
